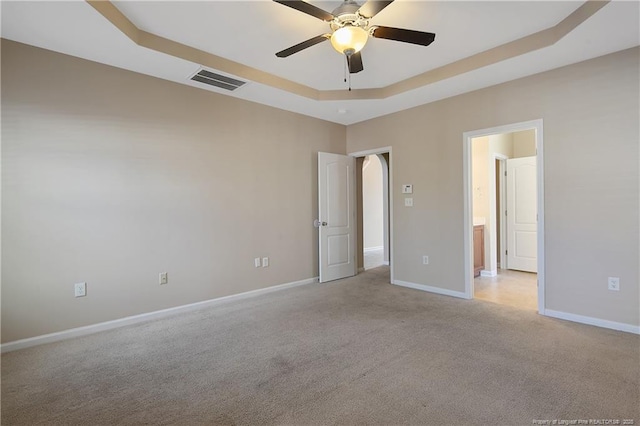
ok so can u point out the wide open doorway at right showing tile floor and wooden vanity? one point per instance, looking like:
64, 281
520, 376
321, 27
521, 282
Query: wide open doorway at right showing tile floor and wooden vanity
504, 224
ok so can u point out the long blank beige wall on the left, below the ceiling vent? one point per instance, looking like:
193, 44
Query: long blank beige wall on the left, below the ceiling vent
111, 177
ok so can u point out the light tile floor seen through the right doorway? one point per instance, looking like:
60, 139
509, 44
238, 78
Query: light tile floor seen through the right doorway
512, 288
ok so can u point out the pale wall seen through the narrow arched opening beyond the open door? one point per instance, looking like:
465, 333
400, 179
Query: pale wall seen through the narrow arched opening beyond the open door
372, 202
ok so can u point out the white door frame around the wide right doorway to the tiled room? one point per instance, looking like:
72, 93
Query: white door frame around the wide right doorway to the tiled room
468, 201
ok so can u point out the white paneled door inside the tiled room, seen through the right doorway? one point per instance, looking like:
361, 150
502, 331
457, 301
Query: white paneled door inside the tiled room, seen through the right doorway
522, 221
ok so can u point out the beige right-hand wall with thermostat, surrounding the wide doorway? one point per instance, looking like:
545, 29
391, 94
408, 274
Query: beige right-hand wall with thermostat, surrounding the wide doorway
591, 132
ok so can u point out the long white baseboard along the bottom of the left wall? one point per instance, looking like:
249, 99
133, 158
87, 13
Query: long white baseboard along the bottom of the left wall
121, 322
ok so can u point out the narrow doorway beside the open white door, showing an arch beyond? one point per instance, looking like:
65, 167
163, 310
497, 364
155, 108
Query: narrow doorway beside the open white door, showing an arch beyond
373, 198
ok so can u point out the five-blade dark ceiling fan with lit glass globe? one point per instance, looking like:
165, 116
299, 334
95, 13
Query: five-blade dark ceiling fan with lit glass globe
350, 29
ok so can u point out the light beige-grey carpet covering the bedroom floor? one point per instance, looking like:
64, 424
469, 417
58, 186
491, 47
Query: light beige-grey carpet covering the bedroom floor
356, 351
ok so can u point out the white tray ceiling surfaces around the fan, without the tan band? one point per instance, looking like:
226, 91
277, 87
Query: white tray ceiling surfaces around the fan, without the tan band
250, 32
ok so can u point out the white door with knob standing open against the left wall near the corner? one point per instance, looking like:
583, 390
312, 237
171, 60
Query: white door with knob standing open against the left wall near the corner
336, 221
